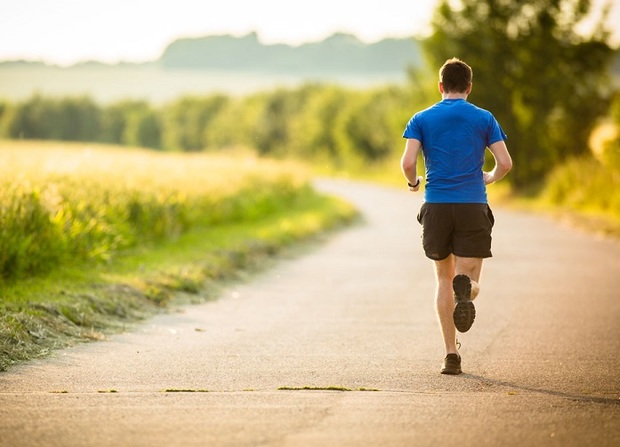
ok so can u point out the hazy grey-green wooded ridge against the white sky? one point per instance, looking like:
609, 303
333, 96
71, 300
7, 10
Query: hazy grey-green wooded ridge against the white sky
342, 53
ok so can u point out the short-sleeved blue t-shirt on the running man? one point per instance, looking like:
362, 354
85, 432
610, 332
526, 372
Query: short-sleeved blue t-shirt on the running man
454, 135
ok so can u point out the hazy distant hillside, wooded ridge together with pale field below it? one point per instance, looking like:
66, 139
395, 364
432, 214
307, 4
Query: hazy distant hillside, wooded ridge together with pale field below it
217, 64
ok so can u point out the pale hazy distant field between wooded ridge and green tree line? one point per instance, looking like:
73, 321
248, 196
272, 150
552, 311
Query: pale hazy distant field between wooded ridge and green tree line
107, 84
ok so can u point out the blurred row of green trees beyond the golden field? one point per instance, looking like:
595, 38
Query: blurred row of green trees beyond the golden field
311, 121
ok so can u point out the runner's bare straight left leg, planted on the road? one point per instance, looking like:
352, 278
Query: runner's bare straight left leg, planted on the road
444, 302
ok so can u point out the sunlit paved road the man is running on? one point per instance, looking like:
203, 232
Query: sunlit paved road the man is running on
541, 361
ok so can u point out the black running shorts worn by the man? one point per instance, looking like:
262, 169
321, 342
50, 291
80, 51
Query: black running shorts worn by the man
462, 229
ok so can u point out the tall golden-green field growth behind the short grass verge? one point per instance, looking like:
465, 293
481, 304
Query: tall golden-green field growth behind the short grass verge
64, 204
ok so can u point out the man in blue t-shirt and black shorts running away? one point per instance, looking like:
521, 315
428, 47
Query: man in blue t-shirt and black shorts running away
456, 219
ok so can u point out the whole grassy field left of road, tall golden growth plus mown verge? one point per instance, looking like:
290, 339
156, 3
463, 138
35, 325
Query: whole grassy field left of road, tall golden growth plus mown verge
94, 237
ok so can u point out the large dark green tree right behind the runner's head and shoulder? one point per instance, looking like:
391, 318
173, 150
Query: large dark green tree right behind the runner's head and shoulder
546, 84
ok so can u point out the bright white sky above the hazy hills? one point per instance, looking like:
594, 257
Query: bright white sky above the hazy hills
64, 32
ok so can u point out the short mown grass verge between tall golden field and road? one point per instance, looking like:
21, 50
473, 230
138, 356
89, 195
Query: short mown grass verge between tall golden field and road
82, 302
